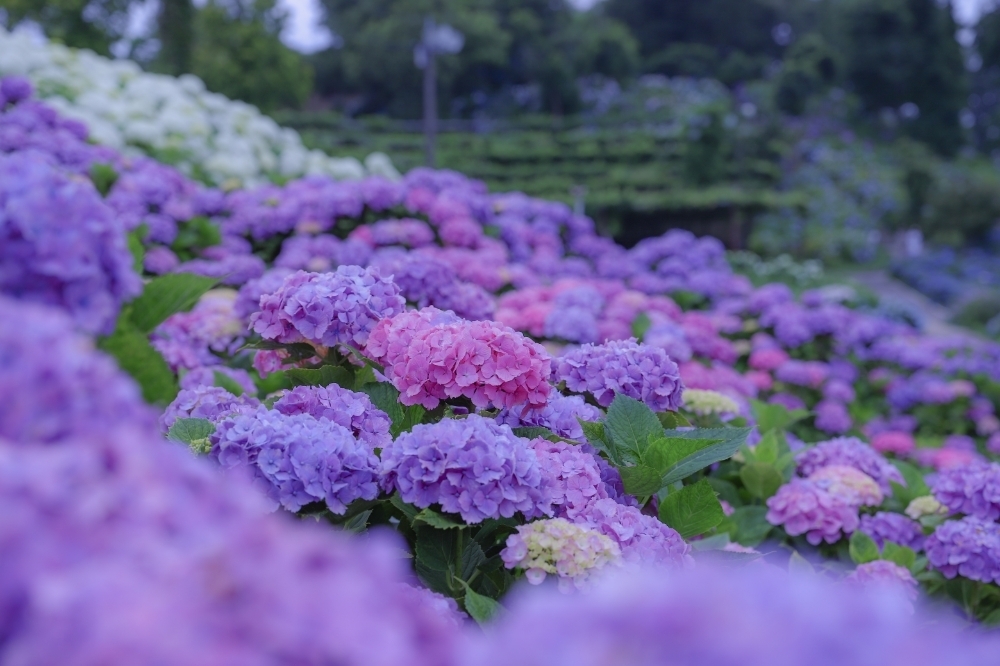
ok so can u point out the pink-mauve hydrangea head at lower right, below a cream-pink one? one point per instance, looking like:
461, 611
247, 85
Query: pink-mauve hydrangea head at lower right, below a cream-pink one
803, 507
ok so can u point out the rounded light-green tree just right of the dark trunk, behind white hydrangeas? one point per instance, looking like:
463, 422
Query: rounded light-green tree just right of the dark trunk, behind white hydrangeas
237, 52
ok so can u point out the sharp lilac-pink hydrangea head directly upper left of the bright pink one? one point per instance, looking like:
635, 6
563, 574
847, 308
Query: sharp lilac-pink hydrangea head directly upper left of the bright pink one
327, 309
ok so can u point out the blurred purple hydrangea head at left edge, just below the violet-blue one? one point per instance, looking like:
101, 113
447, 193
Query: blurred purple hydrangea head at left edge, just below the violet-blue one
53, 384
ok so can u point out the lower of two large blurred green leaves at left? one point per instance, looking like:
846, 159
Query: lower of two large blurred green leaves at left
131, 348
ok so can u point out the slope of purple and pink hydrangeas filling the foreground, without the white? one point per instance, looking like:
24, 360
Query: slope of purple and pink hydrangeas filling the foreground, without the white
347, 421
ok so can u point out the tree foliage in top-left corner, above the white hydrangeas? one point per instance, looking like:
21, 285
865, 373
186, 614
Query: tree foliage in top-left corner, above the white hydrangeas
86, 24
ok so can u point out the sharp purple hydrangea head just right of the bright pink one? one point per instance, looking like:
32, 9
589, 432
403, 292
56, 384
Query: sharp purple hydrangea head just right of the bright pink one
622, 366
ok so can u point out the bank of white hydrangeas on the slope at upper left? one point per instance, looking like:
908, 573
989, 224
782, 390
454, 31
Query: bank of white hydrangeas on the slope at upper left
132, 111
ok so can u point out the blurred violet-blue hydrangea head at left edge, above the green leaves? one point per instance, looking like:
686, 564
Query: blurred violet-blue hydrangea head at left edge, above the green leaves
60, 244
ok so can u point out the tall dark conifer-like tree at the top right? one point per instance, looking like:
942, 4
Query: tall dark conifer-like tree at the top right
904, 51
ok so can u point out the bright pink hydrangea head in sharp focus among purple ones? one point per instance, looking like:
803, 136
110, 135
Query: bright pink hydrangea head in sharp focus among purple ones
483, 361
